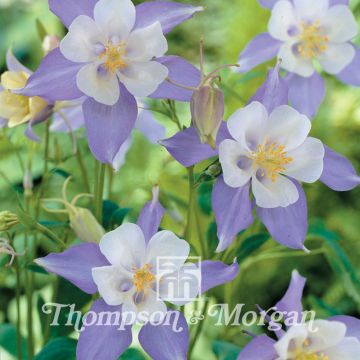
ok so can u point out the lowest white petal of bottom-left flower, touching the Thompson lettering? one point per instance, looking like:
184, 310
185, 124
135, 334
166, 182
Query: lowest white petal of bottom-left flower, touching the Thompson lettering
149, 304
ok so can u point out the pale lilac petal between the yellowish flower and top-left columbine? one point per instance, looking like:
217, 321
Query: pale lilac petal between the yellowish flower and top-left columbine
74, 119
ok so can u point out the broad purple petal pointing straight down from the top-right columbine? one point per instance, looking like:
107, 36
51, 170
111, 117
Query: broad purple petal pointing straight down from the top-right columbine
306, 94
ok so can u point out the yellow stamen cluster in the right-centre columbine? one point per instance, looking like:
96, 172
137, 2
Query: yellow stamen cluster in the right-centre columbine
271, 158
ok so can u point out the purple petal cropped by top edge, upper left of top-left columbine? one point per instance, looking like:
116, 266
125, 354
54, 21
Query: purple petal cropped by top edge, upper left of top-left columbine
68, 10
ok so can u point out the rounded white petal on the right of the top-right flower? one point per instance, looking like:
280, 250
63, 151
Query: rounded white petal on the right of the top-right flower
340, 24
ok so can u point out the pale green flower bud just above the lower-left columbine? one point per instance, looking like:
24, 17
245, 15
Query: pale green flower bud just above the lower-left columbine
85, 225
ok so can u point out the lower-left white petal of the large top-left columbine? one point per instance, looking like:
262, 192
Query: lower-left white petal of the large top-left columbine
99, 84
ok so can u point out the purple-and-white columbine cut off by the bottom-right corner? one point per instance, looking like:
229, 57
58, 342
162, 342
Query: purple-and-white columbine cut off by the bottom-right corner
337, 338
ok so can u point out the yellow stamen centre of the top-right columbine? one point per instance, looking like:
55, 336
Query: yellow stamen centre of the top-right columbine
313, 41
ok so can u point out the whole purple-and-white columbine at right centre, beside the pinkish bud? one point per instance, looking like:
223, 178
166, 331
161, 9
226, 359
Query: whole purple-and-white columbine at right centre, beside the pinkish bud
282, 211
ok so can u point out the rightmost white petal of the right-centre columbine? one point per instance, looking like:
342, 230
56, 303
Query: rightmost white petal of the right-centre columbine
308, 161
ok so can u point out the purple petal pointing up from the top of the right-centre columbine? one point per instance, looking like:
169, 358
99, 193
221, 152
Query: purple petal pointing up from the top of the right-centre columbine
274, 92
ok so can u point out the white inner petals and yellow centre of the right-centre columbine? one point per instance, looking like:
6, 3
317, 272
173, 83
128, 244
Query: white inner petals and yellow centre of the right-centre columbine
268, 150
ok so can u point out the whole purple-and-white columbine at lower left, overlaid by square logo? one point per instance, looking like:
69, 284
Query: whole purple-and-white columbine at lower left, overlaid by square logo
122, 268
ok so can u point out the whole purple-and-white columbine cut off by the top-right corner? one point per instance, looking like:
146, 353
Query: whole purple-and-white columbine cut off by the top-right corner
300, 33
